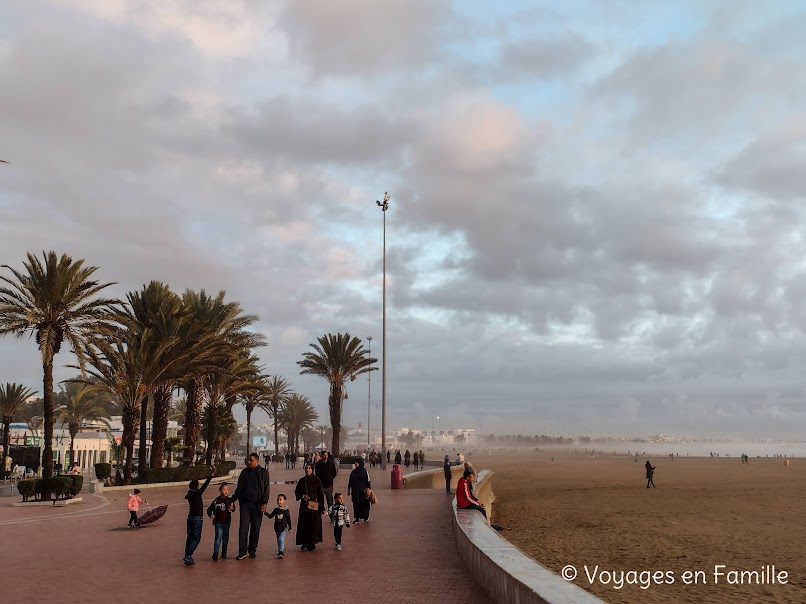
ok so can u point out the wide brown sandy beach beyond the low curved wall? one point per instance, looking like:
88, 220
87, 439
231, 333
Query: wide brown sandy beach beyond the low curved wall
705, 512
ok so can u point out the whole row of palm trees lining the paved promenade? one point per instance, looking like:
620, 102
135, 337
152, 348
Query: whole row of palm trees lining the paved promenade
138, 352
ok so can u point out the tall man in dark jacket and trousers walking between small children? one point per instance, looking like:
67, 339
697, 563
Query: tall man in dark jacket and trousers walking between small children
252, 493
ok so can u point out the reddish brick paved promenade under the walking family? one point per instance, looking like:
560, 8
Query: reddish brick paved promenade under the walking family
84, 553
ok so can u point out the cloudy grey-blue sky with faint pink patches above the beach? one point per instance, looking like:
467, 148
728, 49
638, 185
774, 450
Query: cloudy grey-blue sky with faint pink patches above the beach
597, 220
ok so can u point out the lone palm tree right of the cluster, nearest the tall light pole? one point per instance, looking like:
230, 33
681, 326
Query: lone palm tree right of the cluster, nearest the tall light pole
337, 359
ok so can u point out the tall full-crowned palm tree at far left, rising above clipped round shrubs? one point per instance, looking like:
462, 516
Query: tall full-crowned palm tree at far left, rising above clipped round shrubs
54, 301
